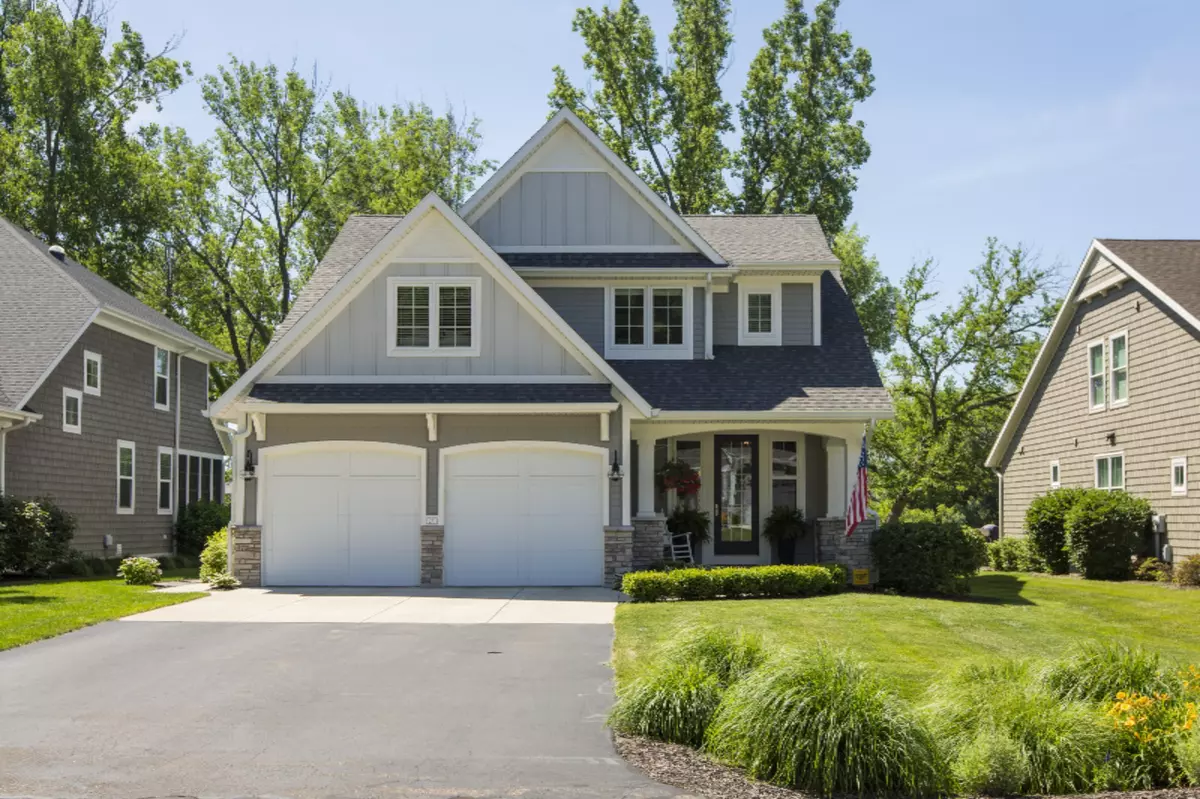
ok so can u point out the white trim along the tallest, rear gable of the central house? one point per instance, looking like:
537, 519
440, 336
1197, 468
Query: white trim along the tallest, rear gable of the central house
508, 175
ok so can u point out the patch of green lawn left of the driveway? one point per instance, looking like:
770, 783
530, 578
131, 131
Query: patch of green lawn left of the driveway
34, 611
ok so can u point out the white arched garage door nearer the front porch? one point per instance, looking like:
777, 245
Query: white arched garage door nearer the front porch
525, 516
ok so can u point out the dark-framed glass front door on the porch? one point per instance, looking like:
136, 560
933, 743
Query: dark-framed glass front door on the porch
736, 514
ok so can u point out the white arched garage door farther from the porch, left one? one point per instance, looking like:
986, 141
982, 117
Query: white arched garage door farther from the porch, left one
345, 514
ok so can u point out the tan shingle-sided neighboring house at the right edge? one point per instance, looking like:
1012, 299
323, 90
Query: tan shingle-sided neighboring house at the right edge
1114, 398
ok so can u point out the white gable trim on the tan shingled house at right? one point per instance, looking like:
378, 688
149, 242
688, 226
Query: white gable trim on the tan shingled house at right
1054, 339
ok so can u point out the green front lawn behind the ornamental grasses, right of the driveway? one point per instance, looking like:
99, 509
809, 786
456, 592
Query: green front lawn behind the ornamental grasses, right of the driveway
914, 641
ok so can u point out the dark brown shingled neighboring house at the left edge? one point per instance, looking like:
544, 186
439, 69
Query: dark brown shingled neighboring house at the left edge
103, 402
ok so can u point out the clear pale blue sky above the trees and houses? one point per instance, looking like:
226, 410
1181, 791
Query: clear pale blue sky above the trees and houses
1040, 122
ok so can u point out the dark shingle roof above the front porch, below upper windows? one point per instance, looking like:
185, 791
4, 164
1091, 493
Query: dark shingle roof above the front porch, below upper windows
838, 375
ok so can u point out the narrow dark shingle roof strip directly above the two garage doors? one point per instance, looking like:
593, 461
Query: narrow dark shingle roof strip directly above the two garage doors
433, 393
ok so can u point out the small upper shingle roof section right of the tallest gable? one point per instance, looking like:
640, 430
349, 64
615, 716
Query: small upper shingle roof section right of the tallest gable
765, 239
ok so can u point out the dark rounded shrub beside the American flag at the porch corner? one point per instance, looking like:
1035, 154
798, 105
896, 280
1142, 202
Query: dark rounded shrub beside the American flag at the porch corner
928, 558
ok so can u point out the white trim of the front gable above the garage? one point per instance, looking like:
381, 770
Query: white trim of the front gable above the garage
355, 283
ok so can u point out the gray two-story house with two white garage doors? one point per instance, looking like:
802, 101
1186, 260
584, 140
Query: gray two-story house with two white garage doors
484, 398
